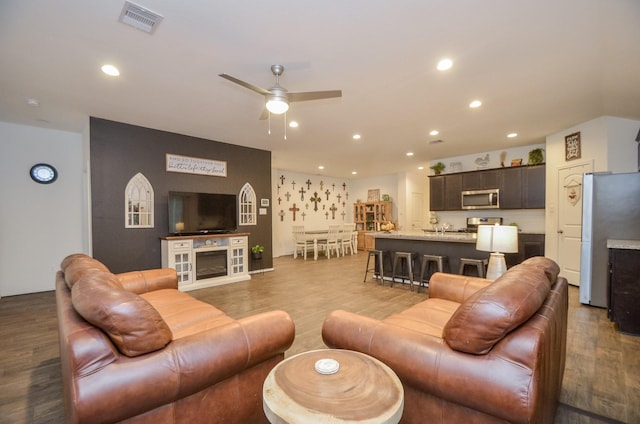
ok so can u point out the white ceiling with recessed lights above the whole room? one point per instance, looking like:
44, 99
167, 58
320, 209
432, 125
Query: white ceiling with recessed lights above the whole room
539, 66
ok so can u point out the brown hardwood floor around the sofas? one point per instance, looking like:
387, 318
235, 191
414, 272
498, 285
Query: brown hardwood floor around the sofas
601, 382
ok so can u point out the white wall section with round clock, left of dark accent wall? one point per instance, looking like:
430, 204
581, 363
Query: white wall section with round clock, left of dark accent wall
40, 223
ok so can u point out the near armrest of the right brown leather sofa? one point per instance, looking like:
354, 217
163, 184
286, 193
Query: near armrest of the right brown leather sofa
428, 364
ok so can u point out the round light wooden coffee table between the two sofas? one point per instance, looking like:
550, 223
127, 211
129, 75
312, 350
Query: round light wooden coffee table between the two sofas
363, 390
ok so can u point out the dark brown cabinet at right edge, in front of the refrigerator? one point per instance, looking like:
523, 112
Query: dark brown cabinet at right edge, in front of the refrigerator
624, 289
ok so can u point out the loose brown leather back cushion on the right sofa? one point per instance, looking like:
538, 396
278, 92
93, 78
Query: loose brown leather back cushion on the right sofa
491, 313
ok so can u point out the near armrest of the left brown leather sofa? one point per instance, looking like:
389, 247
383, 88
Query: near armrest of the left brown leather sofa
185, 366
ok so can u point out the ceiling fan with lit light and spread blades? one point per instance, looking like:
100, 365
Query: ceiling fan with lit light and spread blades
277, 98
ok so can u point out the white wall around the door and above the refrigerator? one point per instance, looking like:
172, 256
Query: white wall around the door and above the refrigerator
607, 142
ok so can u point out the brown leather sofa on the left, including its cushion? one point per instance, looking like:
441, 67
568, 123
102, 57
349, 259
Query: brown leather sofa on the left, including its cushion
135, 349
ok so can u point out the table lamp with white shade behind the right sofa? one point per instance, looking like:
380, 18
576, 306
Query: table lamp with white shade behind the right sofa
497, 239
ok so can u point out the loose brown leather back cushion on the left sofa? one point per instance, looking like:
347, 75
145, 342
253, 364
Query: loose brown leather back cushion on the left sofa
131, 323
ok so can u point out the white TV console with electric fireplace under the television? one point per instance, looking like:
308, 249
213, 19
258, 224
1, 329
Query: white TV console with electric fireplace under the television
207, 260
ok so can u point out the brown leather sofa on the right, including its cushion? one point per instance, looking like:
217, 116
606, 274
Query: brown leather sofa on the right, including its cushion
475, 351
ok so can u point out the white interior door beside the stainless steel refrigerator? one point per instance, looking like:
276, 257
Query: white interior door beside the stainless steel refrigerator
570, 220
